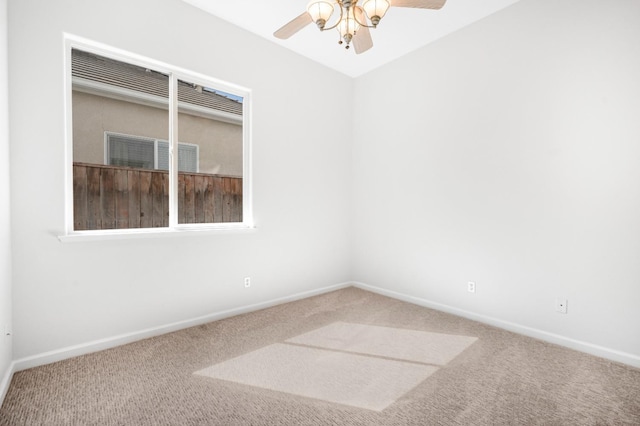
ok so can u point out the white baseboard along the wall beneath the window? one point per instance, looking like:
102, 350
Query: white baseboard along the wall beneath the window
111, 342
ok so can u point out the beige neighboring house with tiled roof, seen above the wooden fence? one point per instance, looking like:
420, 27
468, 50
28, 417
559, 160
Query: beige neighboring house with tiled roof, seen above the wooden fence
112, 98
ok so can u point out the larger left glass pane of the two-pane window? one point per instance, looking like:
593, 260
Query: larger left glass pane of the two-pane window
120, 110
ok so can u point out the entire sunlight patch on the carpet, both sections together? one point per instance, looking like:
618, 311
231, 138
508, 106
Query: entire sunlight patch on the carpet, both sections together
363, 366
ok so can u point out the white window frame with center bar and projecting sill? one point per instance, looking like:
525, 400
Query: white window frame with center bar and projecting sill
175, 74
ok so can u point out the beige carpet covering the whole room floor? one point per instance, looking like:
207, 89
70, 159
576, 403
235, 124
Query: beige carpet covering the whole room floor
285, 366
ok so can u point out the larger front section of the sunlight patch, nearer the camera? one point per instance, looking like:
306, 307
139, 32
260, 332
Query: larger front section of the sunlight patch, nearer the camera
355, 380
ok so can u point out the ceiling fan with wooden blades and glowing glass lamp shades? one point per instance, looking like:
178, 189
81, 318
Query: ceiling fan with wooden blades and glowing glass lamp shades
354, 20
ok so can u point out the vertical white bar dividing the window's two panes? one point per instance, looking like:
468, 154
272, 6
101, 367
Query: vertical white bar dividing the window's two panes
173, 151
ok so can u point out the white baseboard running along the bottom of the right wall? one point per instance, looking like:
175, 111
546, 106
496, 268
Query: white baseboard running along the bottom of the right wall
600, 351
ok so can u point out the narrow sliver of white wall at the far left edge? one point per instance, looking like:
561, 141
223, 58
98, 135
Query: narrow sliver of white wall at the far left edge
5, 201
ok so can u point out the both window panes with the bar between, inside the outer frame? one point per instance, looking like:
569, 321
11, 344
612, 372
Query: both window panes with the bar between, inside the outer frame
127, 120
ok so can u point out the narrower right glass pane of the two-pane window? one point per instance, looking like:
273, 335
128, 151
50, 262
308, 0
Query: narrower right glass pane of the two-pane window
210, 155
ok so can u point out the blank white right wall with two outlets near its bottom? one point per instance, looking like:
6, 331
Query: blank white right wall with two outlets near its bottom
509, 154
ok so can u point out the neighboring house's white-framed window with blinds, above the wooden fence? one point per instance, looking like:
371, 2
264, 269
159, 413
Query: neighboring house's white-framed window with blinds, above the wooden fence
145, 153
